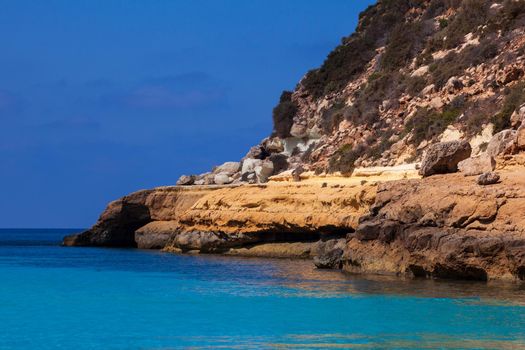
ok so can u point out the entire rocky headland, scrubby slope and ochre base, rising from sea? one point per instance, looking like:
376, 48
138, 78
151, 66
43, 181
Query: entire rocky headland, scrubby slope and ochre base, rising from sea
401, 154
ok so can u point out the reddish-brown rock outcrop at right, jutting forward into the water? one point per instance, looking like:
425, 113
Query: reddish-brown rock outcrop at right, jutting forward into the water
444, 226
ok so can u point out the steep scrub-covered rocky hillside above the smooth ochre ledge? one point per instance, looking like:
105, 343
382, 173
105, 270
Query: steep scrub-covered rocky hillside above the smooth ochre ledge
413, 73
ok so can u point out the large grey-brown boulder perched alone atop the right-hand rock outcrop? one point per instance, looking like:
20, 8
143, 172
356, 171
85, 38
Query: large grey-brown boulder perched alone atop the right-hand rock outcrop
443, 157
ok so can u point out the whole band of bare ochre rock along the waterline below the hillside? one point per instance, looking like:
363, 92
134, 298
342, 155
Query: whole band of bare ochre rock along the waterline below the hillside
442, 226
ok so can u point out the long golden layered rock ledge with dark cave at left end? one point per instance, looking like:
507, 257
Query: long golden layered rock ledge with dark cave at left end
216, 219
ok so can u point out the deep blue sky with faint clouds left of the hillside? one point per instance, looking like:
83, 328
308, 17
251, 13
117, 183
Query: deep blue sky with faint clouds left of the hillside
100, 98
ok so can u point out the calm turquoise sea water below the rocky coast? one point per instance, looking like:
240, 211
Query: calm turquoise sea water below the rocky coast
53, 297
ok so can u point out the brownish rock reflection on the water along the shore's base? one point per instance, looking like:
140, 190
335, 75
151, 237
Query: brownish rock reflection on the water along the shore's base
302, 276
